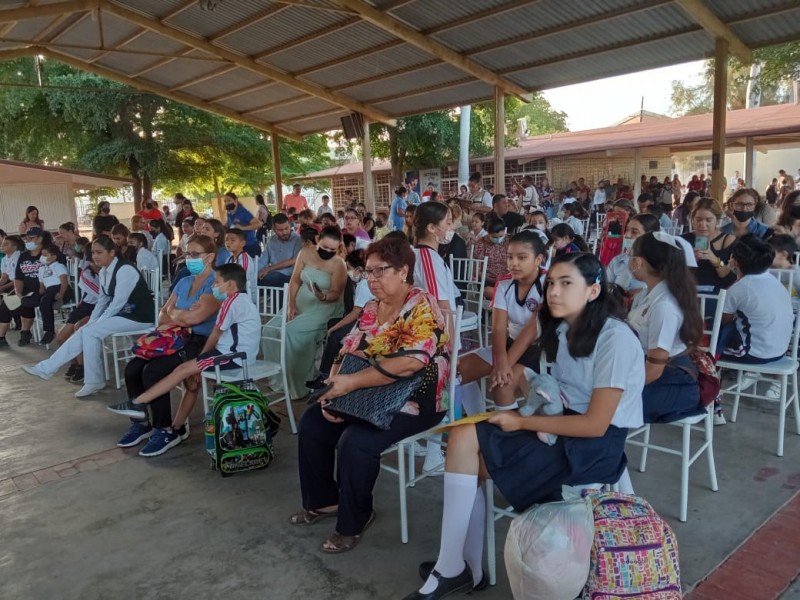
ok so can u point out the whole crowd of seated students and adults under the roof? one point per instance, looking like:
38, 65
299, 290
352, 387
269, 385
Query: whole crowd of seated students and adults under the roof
616, 324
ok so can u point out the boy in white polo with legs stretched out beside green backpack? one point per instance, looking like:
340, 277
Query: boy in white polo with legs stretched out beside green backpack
238, 329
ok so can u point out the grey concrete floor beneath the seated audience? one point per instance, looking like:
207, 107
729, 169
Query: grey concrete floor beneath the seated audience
118, 526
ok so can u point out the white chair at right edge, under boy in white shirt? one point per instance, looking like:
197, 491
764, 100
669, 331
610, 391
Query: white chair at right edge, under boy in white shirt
784, 368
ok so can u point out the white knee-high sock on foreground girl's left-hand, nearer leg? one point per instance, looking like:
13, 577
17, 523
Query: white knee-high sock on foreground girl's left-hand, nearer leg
459, 498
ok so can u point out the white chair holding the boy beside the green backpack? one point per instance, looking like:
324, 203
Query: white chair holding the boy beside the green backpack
262, 369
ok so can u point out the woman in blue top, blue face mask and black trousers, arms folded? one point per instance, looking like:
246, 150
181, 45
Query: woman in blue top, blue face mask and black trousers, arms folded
191, 304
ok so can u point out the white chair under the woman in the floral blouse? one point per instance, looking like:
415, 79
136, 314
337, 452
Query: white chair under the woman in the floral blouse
407, 479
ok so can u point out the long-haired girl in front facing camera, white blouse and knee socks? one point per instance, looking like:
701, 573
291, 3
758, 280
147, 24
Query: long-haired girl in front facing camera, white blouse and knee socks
599, 366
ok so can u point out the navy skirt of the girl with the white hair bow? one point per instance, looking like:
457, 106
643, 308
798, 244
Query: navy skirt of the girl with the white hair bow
673, 396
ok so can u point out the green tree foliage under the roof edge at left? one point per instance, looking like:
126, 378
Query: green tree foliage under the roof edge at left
82, 121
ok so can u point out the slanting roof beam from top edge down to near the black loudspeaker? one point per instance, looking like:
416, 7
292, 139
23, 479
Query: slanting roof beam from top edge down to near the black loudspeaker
248, 63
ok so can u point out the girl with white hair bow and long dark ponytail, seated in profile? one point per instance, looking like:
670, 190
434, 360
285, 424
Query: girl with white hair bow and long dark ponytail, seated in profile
668, 323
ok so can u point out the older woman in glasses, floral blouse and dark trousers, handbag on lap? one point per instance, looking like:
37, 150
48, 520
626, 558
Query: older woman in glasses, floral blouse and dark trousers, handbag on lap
401, 317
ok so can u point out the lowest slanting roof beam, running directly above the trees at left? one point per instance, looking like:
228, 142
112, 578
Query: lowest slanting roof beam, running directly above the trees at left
166, 93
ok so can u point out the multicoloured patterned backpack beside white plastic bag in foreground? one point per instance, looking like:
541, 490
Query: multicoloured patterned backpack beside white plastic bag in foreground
635, 552
